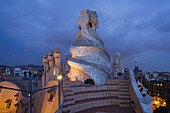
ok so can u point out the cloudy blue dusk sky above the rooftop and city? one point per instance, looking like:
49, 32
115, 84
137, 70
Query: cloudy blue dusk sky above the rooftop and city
139, 30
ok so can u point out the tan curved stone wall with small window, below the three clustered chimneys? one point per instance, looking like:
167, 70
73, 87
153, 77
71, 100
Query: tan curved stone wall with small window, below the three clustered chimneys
42, 103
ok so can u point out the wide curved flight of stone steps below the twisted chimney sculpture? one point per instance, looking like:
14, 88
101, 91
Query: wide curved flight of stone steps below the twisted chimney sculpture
77, 98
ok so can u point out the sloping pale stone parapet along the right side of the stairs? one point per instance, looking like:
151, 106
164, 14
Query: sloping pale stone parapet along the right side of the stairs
142, 104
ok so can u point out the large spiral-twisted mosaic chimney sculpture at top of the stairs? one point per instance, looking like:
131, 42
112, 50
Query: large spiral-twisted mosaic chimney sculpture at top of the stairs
90, 59
